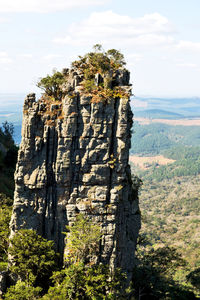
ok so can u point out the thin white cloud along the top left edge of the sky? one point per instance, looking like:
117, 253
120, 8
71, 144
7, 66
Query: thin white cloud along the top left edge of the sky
44, 6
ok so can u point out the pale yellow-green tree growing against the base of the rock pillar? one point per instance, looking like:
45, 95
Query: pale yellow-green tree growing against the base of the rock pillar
82, 241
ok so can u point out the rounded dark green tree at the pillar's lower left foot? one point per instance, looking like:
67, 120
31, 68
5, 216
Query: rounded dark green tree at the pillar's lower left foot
33, 258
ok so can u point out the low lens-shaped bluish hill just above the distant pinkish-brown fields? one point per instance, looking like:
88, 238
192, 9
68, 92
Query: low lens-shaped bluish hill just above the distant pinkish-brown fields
158, 114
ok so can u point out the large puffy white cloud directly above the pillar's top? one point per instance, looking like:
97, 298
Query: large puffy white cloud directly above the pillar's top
106, 27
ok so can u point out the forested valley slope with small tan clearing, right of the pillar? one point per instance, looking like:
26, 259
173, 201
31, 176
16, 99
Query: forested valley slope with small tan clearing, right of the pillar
166, 159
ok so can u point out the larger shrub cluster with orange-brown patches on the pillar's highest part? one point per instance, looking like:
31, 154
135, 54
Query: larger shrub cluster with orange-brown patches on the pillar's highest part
105, 64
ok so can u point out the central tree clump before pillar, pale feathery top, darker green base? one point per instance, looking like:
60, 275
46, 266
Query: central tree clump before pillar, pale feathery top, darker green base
82, 278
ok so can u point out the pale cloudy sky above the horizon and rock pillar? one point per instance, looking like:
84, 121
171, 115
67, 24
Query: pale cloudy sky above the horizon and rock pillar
160, 41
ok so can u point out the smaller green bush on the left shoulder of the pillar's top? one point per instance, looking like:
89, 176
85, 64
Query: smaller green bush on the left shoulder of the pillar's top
51, 85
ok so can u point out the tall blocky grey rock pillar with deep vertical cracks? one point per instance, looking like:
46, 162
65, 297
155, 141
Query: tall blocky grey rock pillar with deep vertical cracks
73, 159
